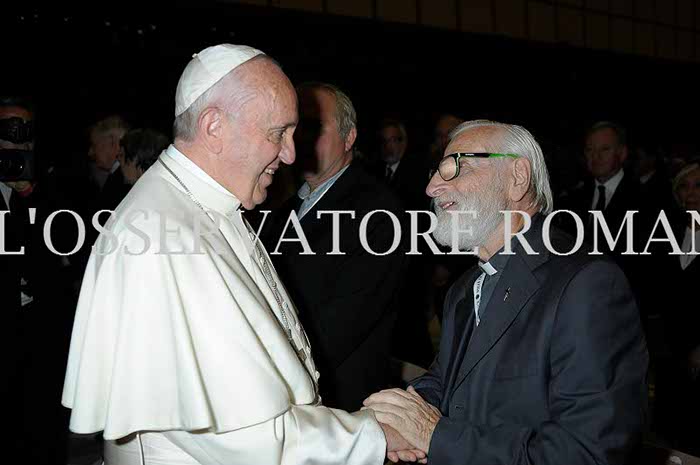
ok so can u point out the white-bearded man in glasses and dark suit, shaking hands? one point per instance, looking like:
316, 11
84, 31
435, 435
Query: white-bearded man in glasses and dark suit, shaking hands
542, 358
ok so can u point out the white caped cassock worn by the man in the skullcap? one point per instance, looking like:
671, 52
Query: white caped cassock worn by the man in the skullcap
183, 357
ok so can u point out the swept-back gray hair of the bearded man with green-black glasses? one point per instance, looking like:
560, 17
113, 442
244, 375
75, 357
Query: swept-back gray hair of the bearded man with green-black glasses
518, 140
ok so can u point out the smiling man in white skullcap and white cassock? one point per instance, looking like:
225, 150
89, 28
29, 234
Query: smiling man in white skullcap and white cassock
194, 355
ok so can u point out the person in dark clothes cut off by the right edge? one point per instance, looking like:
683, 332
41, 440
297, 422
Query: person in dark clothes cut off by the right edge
677, 408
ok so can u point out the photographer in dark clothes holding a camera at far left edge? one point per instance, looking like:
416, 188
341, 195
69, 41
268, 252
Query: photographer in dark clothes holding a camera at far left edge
36, 300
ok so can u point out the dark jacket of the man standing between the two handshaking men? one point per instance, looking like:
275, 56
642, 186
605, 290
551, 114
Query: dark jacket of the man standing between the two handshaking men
347, 303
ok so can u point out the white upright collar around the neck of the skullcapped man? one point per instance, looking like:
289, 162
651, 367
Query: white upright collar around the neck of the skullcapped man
212, 194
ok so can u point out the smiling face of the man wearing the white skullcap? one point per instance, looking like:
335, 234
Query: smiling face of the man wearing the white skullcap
260, 136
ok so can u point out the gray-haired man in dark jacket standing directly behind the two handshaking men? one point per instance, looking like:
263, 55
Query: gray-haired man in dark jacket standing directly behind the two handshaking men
348, 302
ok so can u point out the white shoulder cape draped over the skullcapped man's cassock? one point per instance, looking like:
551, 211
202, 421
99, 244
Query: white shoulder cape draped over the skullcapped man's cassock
166, 341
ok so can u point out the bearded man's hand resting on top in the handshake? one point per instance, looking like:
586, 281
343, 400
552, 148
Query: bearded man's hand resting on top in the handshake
407, 413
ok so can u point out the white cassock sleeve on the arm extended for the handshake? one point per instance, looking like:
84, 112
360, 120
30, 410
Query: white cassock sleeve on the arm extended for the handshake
303, 435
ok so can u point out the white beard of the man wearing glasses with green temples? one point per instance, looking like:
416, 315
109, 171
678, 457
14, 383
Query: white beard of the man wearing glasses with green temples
483, 220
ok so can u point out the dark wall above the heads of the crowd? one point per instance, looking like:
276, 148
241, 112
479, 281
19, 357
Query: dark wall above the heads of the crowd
80, 64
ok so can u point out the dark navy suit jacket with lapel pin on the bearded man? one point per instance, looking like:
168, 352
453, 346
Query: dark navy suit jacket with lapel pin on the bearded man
554, 374
